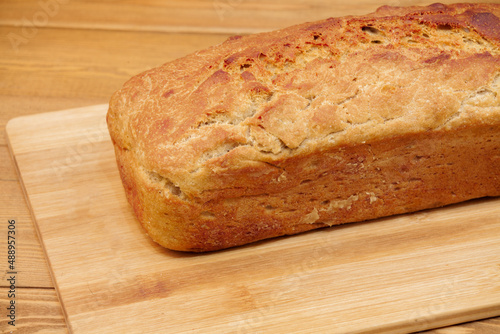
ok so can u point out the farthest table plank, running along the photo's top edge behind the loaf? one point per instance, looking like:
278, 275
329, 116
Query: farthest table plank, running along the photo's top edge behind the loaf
202, 16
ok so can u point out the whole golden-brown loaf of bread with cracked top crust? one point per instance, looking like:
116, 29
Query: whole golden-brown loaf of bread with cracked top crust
342, 120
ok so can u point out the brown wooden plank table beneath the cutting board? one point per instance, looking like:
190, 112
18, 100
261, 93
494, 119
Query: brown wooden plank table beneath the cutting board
60, 54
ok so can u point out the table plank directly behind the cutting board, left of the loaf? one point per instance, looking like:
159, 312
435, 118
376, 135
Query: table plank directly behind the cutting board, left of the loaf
60, 69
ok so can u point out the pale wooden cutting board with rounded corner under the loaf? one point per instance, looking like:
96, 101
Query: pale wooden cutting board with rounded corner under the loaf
399, 274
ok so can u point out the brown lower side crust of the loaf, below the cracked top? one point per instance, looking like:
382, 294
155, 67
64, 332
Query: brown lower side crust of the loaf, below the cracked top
349, 183
